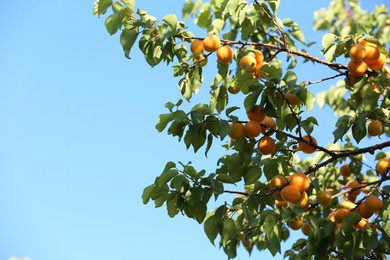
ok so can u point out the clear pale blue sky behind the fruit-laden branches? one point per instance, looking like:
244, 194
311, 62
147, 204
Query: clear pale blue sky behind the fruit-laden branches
77, 137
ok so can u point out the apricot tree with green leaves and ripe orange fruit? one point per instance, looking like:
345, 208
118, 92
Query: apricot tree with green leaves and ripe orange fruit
275, 176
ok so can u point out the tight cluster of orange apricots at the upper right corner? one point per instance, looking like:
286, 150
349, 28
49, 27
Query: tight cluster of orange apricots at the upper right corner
365, 55
